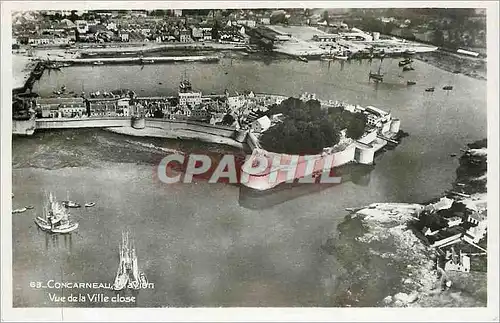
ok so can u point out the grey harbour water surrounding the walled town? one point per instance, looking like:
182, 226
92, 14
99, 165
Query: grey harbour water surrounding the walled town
196, 242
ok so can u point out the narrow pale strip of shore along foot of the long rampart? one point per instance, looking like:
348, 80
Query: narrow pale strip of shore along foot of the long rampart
177, 134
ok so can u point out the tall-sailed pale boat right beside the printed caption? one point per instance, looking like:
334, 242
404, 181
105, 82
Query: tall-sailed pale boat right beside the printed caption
128, 274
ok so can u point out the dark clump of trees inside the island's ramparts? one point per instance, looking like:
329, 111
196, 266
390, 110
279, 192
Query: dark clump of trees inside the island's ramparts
308, 128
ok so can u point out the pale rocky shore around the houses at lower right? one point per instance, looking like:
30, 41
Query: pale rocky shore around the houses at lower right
393, 233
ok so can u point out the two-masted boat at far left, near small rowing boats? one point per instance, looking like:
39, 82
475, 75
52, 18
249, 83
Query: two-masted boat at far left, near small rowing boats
56, 219
